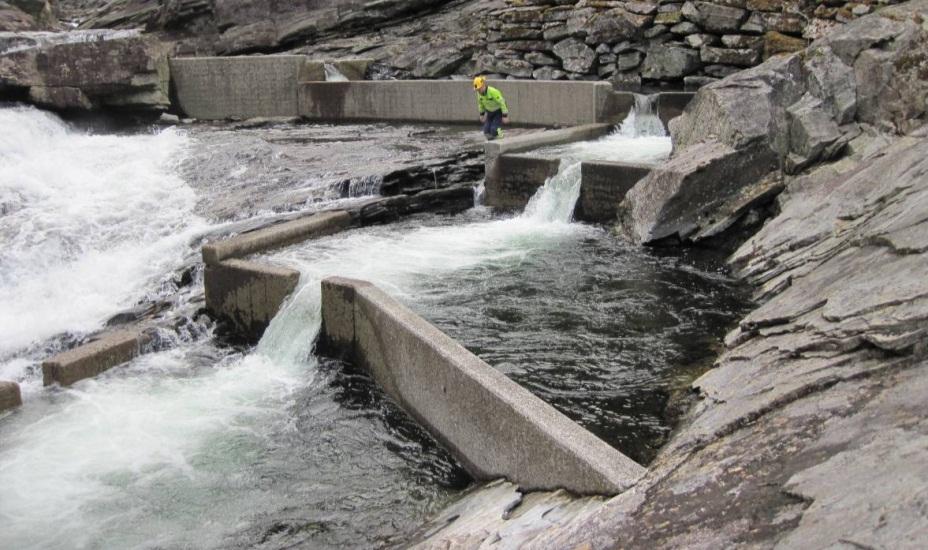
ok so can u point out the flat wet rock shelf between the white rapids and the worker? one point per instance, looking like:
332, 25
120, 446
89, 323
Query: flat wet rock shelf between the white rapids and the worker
248, 168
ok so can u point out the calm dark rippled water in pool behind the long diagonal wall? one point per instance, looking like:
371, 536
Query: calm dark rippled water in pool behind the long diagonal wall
604, 331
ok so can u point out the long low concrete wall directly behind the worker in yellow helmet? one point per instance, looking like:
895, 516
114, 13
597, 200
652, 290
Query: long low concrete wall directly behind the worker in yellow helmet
530, 102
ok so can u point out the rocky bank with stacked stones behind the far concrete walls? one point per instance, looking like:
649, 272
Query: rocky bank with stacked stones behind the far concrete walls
634, 44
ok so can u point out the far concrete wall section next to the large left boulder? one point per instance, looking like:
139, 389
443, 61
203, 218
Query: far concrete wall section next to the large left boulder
212, 88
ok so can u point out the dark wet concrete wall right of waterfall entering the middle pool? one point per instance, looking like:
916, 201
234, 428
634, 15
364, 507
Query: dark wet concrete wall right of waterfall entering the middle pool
603, 185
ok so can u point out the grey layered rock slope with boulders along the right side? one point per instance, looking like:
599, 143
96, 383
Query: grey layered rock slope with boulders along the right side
812, 427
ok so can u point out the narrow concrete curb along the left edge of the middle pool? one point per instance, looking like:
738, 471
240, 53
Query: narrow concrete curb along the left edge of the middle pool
276, 236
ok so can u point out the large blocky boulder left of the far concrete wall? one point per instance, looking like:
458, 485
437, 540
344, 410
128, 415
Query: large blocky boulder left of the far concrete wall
87, 70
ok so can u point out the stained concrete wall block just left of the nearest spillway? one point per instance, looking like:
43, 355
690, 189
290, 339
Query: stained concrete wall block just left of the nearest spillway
247, 295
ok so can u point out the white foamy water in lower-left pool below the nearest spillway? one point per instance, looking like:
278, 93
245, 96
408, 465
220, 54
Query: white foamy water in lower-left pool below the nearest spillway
81, 468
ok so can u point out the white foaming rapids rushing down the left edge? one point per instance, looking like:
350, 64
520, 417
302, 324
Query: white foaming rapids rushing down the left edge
88, 223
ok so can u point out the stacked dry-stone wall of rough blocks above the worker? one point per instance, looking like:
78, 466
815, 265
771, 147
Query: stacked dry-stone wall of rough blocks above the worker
639, 43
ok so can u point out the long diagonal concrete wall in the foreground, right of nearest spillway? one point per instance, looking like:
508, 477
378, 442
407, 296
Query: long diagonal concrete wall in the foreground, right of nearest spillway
495, 427
